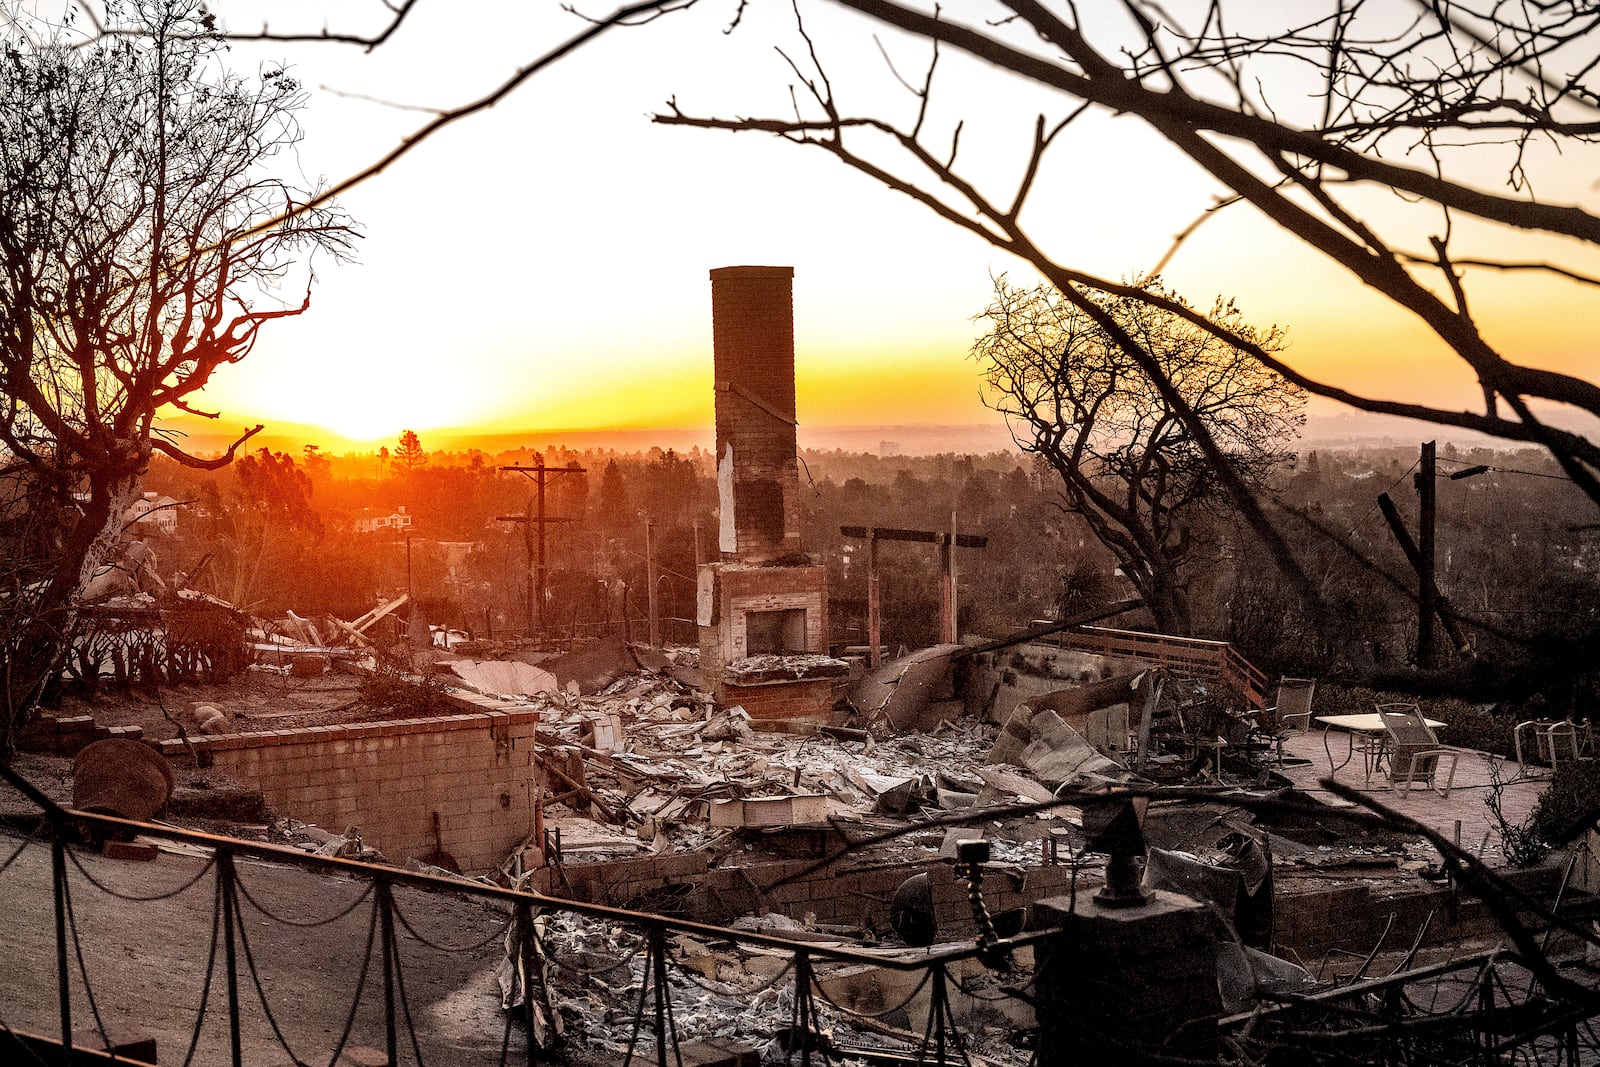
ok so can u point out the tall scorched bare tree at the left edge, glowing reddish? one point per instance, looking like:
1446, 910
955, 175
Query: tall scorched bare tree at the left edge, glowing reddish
134, 265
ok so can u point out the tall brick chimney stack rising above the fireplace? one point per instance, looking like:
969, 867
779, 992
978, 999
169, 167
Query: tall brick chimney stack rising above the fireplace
754, 353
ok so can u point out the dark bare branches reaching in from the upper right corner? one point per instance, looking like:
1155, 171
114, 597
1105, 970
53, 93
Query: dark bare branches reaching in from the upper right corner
1412, 106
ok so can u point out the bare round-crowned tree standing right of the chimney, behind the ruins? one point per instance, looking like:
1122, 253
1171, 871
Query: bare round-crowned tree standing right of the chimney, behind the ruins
1126, 458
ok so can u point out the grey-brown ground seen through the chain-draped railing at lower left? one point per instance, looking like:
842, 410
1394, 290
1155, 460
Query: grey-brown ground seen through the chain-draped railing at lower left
148, 959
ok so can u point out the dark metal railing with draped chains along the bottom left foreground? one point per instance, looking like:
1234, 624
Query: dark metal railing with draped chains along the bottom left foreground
234, 964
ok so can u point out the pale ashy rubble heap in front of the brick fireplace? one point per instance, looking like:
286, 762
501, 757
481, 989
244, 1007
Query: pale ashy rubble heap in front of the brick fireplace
657, 757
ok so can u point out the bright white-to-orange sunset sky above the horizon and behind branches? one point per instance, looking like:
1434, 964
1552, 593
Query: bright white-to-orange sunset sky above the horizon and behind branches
546, 265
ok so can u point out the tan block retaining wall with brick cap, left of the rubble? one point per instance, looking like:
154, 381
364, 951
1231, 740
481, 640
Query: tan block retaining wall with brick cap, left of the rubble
390, 780
